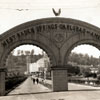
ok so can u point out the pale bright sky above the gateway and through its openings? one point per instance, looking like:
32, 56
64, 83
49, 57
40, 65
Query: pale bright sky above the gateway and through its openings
15, 12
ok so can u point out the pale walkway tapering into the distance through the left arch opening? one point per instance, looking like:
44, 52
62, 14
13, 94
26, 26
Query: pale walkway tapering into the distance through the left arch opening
27, 87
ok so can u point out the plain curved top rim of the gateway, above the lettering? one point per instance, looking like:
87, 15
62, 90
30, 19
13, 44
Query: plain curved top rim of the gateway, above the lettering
50, 20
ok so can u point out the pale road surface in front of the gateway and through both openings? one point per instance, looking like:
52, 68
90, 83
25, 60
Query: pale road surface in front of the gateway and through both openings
28, 91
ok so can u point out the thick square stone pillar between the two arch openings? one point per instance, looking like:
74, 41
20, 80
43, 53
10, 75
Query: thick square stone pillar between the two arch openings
59, 78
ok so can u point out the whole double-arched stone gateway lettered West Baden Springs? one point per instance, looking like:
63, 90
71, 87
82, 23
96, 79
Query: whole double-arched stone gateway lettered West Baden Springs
57, 36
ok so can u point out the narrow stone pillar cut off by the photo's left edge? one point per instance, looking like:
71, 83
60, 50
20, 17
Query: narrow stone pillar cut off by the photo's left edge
2, 81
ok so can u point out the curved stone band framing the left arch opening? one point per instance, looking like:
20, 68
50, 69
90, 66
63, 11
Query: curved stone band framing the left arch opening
29, 42
